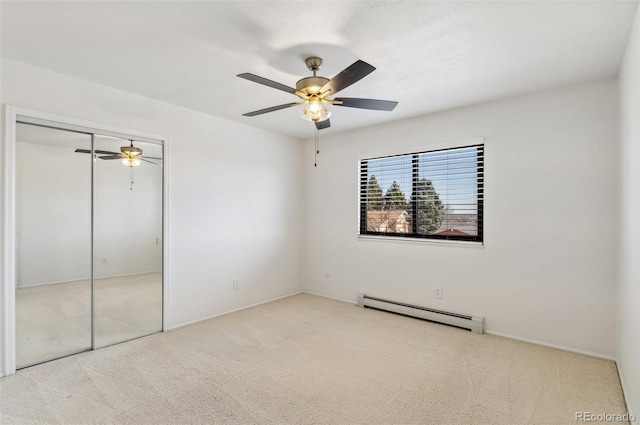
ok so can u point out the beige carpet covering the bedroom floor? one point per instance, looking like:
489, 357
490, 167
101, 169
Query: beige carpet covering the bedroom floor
311, 360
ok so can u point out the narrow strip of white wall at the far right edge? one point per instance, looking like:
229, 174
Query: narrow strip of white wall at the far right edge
628, 311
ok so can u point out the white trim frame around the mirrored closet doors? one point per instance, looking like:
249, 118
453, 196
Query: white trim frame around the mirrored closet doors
12, 116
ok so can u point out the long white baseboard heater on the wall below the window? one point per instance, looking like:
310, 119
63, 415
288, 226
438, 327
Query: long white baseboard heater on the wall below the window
474, 323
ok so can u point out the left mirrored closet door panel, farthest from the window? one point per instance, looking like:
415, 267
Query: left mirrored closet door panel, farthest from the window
53, 244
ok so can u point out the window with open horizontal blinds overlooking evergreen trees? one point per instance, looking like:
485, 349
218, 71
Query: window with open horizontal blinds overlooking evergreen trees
427, 195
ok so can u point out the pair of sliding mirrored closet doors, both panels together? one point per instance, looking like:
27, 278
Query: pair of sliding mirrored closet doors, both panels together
88, 241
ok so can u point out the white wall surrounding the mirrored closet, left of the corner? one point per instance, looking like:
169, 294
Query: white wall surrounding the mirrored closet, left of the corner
230, 187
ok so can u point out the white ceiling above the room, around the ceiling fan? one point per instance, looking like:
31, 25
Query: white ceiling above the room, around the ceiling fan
430, 56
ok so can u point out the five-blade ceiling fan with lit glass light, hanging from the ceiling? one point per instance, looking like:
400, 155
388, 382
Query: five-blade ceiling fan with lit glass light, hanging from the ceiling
317, 92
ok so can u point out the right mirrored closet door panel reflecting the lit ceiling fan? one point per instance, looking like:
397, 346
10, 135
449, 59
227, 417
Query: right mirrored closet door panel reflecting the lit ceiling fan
127, 239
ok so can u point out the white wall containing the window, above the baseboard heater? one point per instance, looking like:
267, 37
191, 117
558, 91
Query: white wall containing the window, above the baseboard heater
547, 270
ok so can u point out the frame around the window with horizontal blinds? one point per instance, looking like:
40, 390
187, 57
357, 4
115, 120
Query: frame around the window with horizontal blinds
414, 236
